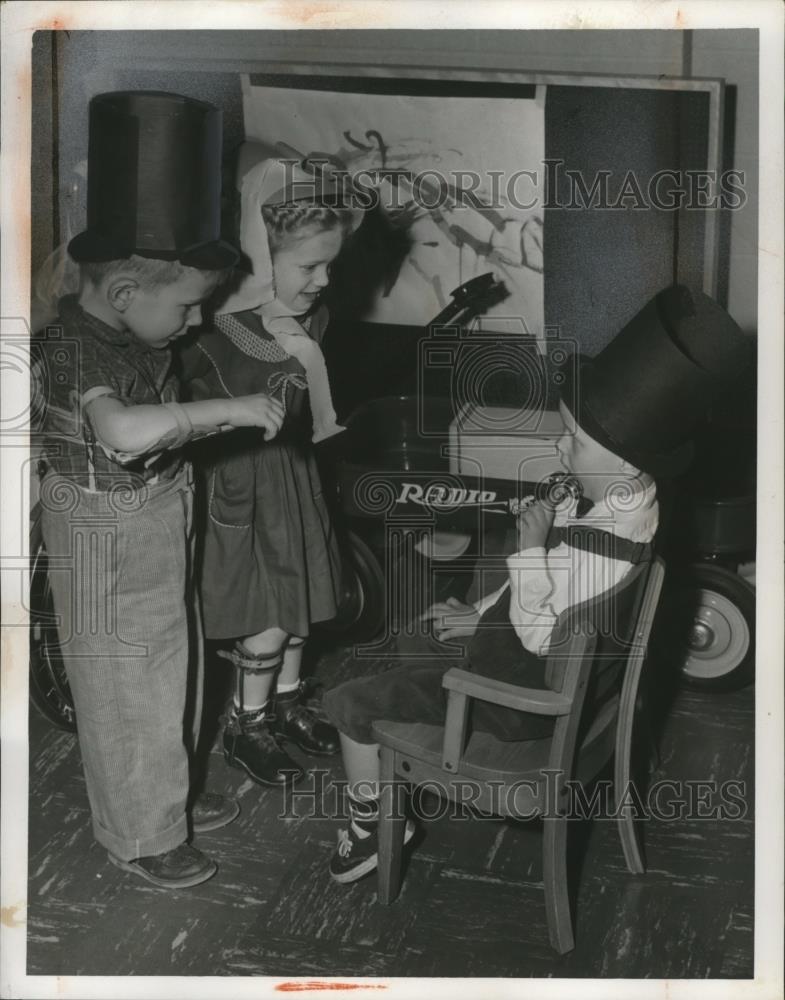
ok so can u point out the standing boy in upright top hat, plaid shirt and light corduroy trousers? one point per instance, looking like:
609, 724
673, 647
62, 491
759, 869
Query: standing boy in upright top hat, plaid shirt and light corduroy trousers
116, 494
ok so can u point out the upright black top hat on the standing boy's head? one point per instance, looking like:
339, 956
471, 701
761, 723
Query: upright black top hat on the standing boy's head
154, 181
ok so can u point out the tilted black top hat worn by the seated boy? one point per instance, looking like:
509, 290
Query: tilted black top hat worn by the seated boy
644, 395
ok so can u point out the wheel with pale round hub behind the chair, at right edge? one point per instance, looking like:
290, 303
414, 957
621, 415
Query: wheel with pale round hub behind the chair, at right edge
704, 593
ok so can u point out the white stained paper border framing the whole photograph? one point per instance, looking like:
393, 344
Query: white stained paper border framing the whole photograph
19, 21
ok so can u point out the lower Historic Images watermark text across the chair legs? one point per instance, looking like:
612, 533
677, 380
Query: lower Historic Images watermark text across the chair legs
550, 796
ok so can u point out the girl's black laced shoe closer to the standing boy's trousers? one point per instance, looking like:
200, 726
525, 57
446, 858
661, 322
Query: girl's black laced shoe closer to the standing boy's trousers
250, 744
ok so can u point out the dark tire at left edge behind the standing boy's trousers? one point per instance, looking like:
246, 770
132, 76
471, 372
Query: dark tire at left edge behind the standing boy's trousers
50, 693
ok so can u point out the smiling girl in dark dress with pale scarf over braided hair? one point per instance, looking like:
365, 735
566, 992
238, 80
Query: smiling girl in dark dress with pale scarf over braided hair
270, 562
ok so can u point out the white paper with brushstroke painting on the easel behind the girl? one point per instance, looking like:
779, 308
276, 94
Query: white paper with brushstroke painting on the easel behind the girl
470, 195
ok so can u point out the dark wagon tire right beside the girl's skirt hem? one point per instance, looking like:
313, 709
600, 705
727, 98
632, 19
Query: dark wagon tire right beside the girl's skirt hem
361, 611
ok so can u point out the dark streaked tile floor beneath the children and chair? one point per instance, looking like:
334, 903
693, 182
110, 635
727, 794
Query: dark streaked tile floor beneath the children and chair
472, 902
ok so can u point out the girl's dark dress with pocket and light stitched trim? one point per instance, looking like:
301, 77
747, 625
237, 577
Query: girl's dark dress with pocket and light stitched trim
270, 554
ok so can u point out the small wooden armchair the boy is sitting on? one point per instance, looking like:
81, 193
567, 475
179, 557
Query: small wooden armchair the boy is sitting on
529, 778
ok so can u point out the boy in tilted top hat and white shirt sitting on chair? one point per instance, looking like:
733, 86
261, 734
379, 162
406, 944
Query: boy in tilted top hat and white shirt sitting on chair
635, 407
